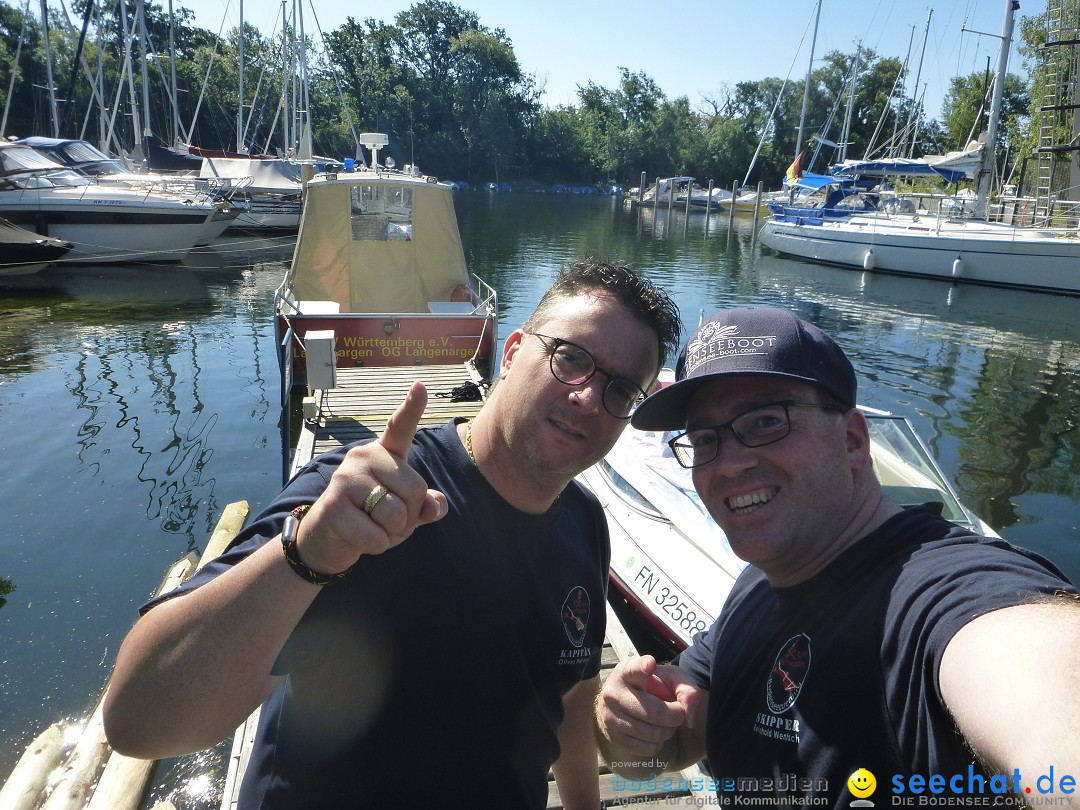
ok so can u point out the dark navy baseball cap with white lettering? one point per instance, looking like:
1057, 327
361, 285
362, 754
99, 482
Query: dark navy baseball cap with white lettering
765, 341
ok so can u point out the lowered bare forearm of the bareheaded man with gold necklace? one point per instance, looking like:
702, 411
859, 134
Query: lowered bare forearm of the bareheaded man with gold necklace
576, 773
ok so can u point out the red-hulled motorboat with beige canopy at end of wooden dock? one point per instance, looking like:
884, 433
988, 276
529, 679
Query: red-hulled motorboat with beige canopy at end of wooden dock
379, 276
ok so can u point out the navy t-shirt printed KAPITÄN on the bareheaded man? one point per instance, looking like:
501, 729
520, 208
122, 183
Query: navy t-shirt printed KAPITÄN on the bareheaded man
434, 673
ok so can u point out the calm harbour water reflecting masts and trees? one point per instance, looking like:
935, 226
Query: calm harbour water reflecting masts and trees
137, 403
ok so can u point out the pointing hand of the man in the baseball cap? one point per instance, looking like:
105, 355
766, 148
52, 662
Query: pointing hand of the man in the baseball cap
651, 719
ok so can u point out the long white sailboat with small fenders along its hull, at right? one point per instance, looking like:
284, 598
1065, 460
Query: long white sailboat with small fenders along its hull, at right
971, 250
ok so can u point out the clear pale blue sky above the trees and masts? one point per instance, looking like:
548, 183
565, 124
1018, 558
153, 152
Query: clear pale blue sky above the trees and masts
694, 48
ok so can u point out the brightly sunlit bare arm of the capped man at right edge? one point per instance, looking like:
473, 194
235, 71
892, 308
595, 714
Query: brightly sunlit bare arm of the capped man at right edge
1010, 680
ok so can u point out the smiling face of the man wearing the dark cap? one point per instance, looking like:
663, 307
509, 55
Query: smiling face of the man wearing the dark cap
788, 508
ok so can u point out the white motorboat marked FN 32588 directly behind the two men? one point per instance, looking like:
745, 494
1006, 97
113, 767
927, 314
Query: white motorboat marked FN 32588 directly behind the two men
672, 563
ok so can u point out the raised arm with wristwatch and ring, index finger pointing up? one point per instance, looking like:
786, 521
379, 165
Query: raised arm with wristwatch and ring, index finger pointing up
207, 656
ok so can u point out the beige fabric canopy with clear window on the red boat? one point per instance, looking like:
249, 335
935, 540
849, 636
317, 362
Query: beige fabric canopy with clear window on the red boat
380, 245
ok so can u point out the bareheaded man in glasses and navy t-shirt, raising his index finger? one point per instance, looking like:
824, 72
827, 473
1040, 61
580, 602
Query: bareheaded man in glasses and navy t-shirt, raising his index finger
427, 606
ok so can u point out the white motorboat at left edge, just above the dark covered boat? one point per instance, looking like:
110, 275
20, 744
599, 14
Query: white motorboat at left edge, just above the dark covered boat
104, 223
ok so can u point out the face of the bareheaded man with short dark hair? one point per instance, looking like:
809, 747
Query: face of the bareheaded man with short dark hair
555, 431
